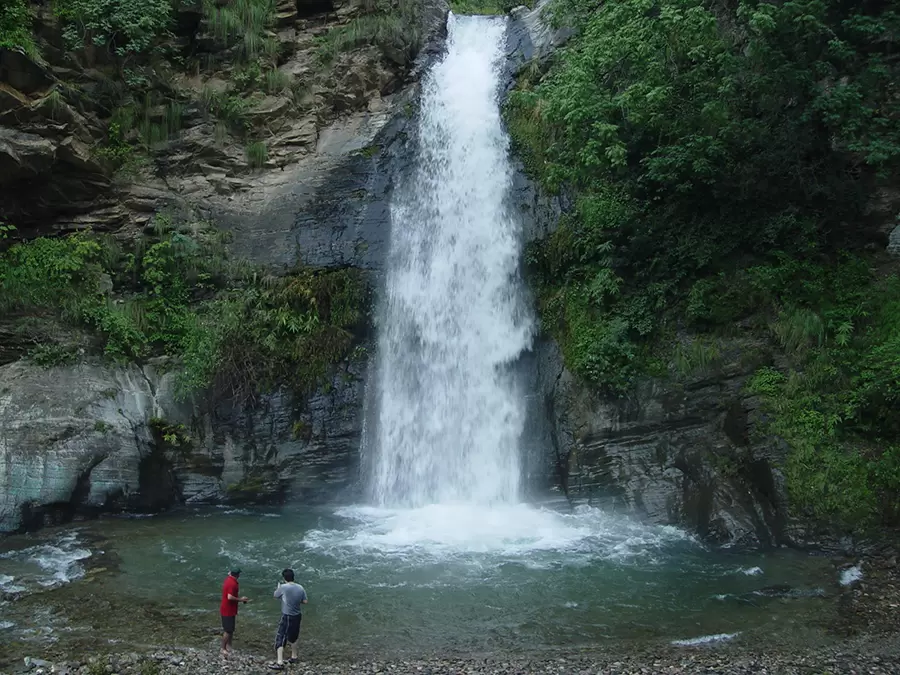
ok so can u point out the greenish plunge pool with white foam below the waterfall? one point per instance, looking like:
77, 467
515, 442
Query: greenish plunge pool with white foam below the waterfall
421, 581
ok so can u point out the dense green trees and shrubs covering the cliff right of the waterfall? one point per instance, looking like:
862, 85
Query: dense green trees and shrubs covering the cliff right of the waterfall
721, 162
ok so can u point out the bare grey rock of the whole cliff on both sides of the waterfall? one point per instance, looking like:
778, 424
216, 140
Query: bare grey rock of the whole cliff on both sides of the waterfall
84, 438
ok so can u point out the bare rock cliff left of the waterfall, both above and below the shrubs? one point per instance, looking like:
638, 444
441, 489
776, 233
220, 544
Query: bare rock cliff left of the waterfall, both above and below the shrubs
92, 437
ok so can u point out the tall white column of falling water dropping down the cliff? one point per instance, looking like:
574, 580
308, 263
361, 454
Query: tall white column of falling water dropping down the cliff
449, 414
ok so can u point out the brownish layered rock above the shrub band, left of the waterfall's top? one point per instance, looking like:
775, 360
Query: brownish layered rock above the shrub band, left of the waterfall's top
52, 179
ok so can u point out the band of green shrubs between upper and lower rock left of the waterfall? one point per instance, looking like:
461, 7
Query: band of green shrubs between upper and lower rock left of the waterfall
238, 330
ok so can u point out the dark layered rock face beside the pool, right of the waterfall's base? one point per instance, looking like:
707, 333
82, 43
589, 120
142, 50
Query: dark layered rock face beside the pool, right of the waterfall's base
682, 452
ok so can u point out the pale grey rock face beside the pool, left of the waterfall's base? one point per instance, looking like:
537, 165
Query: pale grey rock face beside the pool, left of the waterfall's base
92, 437
